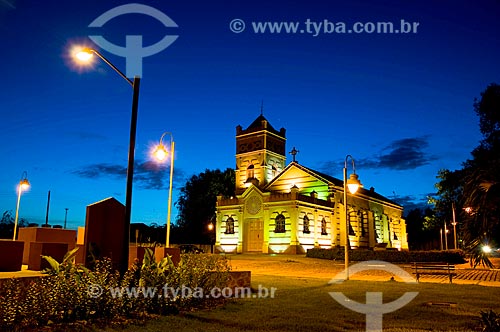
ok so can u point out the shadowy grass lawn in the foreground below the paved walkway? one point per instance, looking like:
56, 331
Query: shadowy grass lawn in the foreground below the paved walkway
304, 304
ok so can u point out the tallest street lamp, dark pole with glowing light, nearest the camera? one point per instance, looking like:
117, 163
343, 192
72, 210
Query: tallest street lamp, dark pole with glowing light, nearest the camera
85, 55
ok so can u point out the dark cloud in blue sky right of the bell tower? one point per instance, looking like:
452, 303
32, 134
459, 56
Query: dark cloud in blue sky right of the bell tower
402, 154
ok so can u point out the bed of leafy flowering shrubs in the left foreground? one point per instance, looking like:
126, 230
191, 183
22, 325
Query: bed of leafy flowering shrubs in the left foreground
72, 293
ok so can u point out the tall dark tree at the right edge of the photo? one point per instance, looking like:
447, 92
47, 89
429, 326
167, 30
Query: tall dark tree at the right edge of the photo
474, 188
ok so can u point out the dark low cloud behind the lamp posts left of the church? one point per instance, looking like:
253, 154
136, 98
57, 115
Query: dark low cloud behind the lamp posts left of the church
147, 175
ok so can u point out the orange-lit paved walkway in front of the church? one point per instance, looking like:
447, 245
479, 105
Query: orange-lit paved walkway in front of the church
301, 267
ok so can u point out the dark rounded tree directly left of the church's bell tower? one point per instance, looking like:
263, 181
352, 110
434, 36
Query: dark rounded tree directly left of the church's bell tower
197, 201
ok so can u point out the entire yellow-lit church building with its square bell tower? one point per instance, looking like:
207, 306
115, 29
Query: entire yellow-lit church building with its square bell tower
279, 208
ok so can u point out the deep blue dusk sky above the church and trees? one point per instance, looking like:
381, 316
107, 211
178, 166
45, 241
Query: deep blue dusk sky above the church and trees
399, 103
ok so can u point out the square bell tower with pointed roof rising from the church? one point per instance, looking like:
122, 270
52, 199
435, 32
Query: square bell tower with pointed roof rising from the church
260, 154
